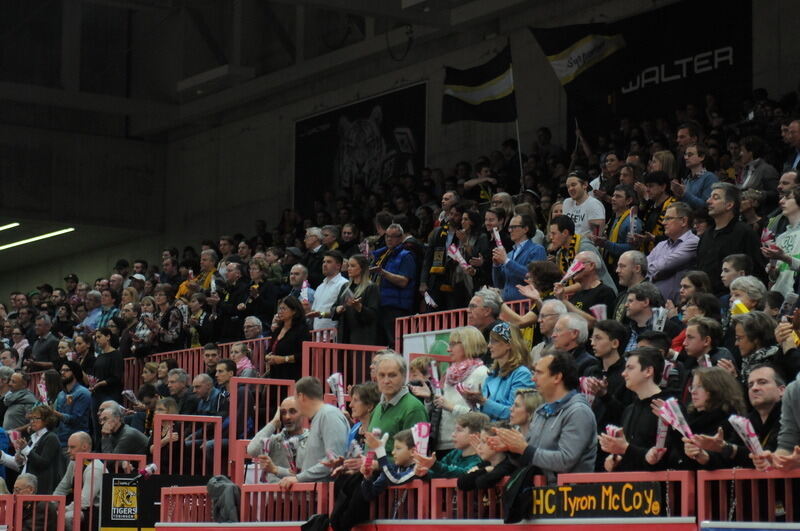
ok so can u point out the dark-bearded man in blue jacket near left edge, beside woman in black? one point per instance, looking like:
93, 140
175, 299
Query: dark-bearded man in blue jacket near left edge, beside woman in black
73, 403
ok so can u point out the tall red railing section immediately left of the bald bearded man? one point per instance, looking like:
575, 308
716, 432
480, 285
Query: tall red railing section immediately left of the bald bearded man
253, 401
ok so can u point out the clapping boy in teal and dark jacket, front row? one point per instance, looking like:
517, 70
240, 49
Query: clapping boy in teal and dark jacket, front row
463, 457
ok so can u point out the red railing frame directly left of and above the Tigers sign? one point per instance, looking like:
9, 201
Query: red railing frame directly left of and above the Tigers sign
116, 462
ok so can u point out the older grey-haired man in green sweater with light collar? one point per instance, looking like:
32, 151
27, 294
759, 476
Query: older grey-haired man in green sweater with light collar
398, 409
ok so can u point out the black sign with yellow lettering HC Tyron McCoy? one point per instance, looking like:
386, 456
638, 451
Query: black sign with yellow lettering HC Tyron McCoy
598, 500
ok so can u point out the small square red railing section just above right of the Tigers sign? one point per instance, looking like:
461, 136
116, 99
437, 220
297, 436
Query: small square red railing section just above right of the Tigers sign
195, 450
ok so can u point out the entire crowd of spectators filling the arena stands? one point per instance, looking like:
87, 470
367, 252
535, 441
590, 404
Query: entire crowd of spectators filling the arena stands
660, 261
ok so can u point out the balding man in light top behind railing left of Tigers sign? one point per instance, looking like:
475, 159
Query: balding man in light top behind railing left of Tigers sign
78, 443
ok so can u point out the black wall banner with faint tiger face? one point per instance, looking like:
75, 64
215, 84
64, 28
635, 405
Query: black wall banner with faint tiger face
365, 142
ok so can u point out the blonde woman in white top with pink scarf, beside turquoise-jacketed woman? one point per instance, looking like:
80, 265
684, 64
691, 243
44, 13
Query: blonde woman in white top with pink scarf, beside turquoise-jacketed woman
465, 374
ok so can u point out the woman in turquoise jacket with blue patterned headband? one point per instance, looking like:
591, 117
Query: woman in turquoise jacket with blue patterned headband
508, 373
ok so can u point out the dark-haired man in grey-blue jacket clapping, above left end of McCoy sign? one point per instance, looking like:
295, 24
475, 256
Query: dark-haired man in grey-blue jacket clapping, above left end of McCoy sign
562, 434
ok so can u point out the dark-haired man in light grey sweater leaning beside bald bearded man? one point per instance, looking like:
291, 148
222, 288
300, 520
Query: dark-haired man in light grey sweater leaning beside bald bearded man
328, 433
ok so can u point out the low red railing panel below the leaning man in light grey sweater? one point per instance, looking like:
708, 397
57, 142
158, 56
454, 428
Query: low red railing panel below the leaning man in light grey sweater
268, 503
